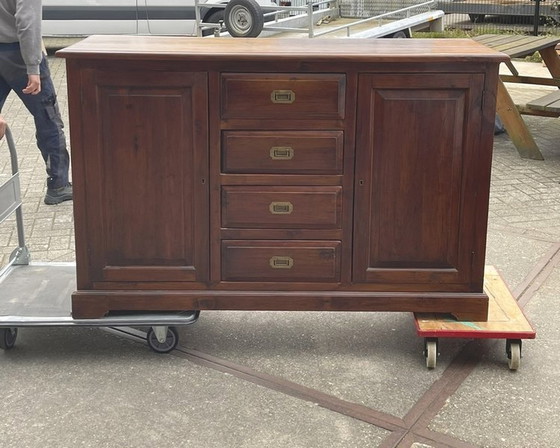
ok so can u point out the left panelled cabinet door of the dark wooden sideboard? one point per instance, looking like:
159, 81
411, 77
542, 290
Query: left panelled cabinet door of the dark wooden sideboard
145, 162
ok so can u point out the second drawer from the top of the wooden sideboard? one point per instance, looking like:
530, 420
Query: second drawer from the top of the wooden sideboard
283, 152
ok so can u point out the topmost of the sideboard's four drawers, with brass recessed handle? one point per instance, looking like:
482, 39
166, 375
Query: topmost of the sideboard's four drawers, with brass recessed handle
283, 96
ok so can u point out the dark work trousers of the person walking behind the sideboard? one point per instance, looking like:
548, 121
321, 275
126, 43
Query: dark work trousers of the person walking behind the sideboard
43, 107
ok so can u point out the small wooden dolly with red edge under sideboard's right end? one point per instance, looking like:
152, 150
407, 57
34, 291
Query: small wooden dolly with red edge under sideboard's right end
505, 321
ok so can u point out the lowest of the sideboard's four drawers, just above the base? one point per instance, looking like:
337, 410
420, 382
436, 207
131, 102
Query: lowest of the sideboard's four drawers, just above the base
281, 261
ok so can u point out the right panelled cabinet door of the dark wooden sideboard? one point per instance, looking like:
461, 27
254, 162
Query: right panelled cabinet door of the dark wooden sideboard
417, 179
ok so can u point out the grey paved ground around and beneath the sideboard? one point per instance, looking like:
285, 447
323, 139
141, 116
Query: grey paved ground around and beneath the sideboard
313, 380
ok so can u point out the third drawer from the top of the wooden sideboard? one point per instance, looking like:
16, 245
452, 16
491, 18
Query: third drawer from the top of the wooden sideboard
282, 207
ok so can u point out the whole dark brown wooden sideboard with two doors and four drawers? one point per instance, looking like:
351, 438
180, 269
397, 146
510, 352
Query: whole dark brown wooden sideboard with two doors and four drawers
275, 174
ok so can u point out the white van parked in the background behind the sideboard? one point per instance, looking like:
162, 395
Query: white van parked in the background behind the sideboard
160, 17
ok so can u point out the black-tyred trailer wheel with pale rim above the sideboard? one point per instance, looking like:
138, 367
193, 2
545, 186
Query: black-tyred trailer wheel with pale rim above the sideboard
243, 18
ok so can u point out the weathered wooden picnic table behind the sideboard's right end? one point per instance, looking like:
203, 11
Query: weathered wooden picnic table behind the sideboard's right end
518, 46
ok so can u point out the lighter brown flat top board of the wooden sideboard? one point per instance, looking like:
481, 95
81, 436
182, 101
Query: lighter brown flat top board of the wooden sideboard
317, 50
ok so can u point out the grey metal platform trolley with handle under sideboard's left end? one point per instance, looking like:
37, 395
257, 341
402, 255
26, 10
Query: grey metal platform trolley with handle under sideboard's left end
39, 294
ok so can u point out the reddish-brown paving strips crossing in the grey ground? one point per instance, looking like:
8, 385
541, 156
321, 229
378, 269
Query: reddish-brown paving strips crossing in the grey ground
414, 426
